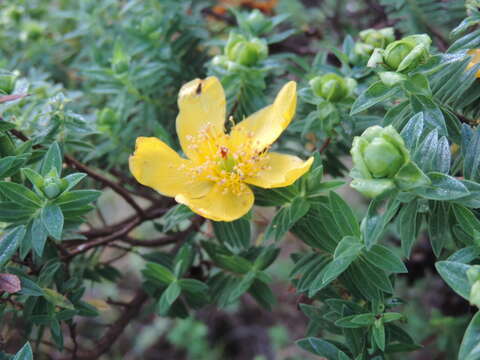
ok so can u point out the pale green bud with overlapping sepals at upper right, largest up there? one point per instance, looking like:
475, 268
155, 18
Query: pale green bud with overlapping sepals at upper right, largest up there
406, 54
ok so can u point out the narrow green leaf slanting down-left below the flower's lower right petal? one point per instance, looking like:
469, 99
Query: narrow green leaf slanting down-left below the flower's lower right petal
286, 217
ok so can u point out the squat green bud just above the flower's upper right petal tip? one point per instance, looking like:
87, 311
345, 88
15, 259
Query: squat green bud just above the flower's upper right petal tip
332, 87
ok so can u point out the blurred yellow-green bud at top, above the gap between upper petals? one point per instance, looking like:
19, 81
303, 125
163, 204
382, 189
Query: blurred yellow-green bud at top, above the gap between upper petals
245, 52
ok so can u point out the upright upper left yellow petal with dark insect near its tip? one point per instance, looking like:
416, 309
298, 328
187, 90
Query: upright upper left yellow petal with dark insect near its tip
202, 106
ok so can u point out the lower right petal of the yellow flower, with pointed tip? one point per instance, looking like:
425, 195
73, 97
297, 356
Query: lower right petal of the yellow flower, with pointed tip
280, 170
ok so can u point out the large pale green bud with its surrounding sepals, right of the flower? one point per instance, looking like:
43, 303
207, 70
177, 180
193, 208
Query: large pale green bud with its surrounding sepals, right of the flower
382, 162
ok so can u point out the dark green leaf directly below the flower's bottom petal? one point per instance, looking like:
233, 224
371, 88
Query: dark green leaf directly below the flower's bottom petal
236, 234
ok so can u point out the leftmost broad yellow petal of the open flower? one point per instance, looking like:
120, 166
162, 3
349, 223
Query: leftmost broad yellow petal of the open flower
156, 165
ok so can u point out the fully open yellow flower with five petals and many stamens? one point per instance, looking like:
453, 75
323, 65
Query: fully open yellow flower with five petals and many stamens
213, 180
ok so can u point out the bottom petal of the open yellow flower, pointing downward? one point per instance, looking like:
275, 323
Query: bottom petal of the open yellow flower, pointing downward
220, 205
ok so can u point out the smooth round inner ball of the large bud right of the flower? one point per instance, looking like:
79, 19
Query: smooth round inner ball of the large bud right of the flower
382, 158
